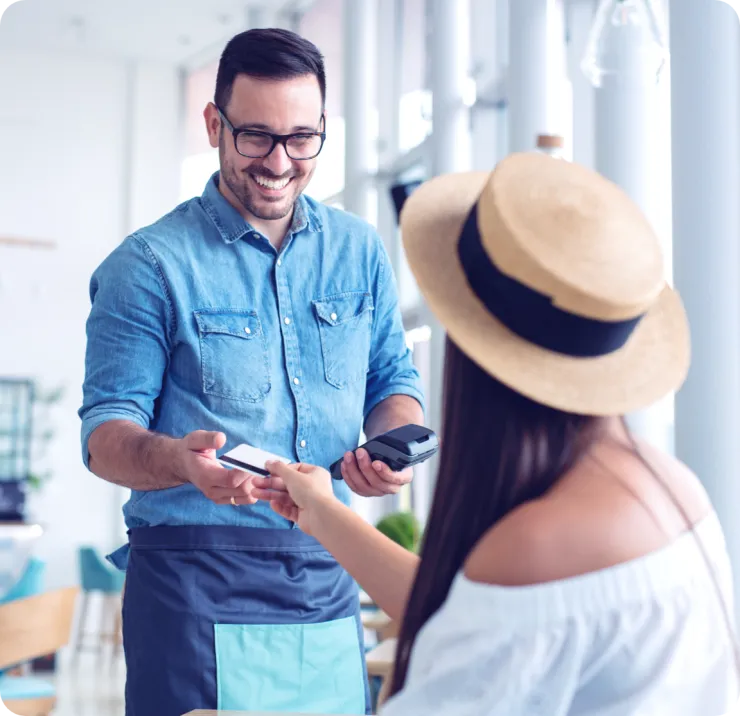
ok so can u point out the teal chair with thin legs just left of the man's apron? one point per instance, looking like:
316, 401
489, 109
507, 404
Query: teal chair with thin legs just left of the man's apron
96, 576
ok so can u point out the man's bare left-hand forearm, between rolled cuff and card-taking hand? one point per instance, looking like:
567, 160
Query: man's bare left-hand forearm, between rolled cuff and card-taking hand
126, 454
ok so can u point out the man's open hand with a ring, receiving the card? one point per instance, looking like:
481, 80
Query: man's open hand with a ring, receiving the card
195, 459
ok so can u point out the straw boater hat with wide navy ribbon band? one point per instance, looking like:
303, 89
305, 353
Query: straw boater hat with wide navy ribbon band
551, 279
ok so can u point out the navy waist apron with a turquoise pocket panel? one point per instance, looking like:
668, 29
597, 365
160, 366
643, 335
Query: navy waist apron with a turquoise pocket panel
242, 619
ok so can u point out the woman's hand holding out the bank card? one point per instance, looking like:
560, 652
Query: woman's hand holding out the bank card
294, 491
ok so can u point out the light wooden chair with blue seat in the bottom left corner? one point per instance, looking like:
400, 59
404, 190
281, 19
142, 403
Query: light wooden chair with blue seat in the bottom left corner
32, 627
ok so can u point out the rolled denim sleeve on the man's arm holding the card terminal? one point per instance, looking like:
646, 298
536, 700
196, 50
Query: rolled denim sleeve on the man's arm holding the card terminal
392, 370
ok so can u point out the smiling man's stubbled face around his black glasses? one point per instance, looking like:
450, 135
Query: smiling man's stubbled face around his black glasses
266, 188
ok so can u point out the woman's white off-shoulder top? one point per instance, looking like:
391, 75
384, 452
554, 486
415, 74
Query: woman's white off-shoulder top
643, 638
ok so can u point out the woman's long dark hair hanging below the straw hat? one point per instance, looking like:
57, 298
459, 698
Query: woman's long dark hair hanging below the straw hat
499, 449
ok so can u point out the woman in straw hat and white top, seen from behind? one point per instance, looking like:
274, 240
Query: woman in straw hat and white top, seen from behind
567, 567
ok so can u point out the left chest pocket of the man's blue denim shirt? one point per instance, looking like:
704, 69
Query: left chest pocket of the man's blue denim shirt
233, 354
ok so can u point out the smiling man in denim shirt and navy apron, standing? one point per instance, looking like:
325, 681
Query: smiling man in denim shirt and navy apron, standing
249, 314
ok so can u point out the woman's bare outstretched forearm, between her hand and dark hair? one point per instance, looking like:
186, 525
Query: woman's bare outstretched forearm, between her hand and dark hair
384, 569
